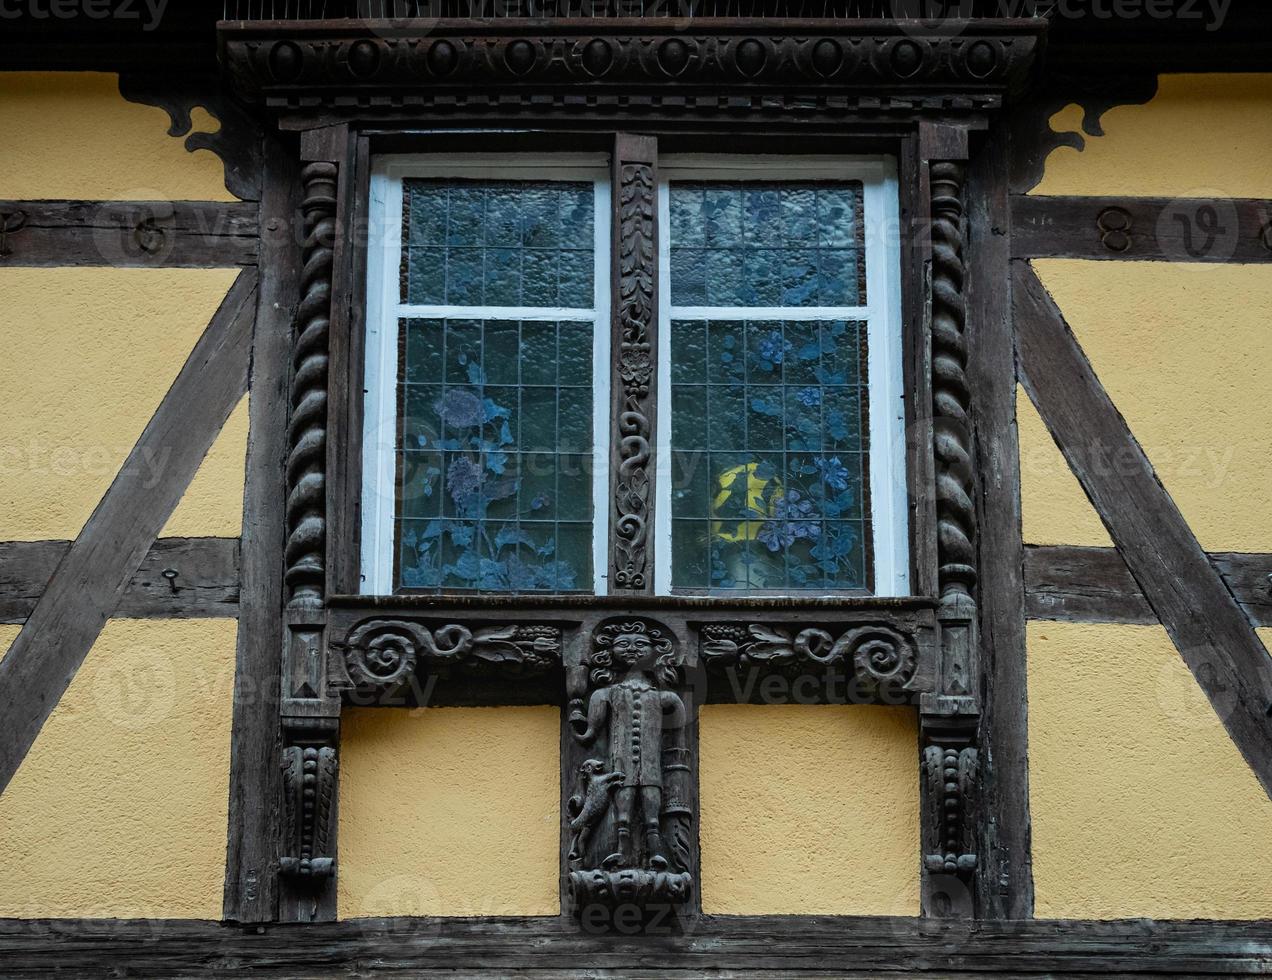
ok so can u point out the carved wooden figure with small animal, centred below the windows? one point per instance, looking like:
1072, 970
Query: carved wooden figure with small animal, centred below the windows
633, 809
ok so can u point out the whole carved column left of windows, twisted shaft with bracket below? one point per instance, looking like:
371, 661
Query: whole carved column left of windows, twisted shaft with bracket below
311, 716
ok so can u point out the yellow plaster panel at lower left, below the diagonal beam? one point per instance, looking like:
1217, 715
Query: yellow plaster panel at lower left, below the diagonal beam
120, 808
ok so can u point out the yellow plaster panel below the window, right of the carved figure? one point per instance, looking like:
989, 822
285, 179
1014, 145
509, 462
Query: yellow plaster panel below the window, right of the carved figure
810, 810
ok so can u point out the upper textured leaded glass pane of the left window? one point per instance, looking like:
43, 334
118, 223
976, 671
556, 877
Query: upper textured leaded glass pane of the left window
498, 244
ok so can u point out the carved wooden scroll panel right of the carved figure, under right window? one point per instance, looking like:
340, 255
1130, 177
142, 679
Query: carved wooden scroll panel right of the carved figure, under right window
880, 660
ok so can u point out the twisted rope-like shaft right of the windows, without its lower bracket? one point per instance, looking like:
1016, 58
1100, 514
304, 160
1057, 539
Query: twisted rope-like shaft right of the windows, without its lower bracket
956, 512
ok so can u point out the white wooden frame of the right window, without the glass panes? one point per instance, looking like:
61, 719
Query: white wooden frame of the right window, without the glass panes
882, 312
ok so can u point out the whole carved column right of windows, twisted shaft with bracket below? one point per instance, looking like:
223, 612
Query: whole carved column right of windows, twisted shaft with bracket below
950, 716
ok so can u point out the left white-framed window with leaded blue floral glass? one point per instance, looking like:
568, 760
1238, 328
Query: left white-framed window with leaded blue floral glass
488, 340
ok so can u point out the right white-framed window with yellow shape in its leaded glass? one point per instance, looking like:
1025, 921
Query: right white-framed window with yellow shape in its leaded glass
780, 347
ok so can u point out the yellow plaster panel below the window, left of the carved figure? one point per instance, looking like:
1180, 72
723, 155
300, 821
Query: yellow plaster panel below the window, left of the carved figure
450, 811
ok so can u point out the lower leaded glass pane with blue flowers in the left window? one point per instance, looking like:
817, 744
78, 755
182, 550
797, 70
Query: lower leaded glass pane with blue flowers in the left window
495, 456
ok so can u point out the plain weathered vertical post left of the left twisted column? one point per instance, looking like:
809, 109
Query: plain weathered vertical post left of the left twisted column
256, 781
